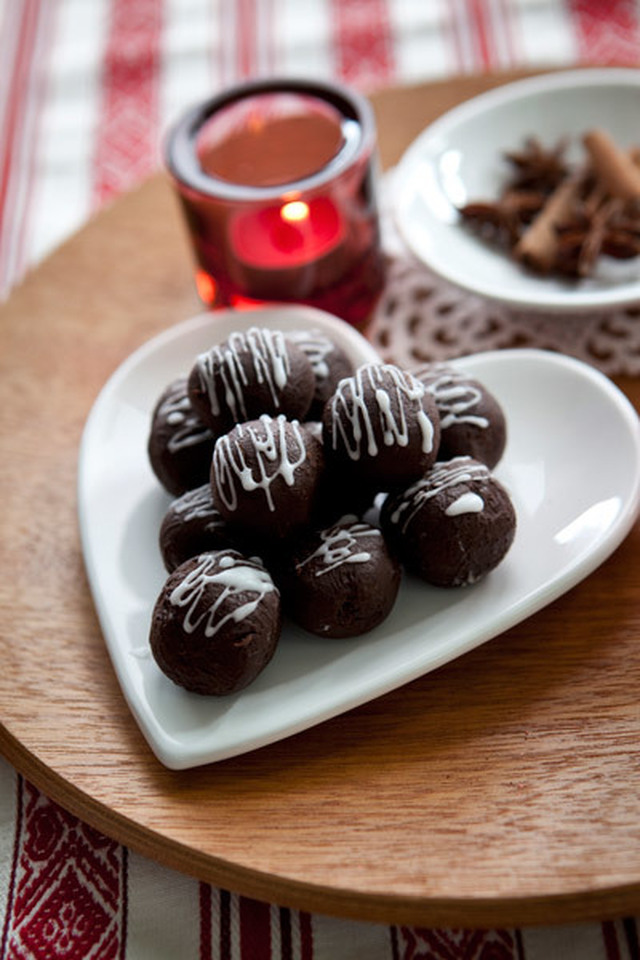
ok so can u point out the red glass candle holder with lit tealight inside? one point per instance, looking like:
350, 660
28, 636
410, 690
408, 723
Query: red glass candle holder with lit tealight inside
277, 182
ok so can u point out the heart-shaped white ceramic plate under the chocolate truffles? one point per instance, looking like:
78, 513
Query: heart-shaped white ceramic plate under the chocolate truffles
572, 465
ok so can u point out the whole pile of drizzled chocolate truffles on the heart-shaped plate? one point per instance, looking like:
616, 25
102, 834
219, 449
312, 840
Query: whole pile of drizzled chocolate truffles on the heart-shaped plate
302, 488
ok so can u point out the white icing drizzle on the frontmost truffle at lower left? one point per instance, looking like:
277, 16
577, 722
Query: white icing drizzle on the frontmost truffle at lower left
235, 576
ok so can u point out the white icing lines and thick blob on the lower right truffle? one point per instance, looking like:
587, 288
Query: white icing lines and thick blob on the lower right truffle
441, 477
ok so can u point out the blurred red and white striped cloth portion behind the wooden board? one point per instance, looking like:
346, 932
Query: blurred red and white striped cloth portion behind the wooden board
90, 86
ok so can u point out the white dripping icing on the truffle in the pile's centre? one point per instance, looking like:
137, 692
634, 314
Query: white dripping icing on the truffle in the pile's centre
274, 457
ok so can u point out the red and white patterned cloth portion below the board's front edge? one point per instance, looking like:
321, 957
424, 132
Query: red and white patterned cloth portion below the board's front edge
68, 892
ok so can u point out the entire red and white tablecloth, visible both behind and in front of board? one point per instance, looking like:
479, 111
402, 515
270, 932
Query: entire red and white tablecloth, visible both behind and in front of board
89, 87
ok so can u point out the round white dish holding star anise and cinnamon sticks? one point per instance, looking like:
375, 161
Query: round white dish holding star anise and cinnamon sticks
459, 158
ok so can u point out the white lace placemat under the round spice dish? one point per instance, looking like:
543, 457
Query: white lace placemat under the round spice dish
421, 318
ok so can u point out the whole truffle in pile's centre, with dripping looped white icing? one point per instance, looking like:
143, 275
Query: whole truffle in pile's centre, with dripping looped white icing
265, 476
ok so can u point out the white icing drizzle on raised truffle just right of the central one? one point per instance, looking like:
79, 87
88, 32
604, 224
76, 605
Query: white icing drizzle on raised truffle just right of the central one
351, 416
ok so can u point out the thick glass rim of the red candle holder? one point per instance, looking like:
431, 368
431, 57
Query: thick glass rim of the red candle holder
181, 158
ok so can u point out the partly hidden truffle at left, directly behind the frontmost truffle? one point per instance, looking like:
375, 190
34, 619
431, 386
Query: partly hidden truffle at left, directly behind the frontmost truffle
192, 525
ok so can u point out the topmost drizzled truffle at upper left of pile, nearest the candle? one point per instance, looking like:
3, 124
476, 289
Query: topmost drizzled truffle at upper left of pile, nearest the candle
251, 373
